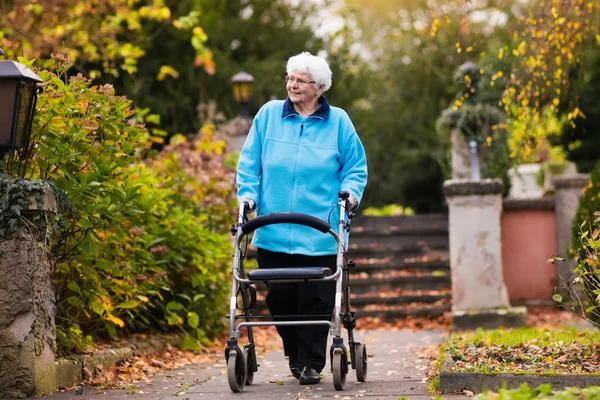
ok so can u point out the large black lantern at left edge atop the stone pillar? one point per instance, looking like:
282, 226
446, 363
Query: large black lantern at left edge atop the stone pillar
18, 97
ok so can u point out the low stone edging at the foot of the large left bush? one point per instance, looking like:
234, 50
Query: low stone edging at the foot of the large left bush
69, 370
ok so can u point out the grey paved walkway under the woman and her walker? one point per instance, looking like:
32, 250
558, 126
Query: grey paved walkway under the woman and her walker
395, 371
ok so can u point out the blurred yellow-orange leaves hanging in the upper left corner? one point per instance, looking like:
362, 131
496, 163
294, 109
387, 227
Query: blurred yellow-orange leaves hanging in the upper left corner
100, 32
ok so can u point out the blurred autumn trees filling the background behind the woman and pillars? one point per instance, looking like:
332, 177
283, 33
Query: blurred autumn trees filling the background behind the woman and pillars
393, 63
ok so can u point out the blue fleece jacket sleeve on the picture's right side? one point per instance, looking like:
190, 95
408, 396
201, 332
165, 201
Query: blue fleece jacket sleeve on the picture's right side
354, 168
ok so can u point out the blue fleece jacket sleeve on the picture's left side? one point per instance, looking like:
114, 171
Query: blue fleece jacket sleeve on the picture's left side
249, 167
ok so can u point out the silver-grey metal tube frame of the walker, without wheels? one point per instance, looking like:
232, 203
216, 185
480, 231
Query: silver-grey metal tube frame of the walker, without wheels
234, 331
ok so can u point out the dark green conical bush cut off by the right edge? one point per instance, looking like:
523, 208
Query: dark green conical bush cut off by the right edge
586, 245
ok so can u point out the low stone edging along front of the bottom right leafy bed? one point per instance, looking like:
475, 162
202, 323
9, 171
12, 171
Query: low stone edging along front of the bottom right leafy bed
479, 382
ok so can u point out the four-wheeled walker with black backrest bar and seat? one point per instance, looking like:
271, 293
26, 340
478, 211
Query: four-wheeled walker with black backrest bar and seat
241, 362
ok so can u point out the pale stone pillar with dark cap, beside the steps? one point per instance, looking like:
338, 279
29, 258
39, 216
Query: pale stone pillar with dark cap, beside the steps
479, 295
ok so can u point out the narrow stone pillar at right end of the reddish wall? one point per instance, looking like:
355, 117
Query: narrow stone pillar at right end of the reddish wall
568, 190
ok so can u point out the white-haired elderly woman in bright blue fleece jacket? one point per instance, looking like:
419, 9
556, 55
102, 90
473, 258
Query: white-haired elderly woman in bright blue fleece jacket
300, 152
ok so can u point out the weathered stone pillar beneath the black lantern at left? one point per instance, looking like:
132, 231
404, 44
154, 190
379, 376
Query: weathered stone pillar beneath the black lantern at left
27, 304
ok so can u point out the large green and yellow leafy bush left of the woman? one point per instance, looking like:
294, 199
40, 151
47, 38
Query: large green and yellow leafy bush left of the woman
144, 244
